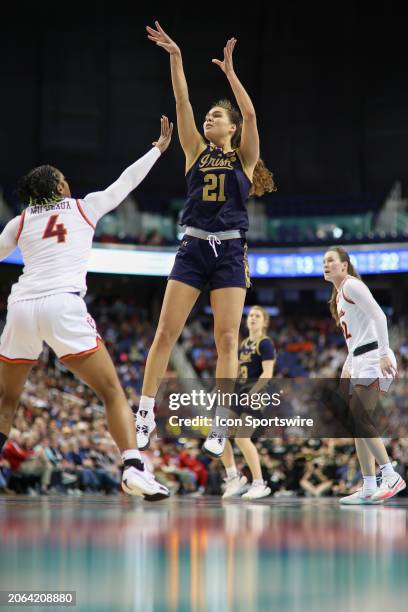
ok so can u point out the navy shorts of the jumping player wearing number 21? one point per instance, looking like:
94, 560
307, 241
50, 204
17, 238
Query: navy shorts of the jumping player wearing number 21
197, 265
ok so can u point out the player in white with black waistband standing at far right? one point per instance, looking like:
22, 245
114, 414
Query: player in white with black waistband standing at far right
370, 361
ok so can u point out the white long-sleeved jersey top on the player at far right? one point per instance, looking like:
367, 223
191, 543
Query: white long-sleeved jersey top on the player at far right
361, 318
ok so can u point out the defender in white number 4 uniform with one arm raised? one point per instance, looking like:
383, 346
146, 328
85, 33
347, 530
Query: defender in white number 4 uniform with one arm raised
55, 237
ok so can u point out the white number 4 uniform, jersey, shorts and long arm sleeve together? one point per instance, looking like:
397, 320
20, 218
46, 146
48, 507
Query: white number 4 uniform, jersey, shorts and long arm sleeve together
55, 240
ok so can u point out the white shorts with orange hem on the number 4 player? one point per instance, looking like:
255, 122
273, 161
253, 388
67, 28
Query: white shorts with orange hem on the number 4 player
61, 320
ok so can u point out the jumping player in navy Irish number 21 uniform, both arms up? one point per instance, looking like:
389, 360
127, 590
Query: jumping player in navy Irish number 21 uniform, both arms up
222, 169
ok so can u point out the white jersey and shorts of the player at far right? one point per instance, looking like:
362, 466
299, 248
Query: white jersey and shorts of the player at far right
363, 322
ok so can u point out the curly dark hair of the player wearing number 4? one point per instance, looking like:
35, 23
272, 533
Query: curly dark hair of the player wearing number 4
39, 186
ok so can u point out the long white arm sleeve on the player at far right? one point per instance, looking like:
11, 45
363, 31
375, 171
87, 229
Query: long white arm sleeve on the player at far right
360, 294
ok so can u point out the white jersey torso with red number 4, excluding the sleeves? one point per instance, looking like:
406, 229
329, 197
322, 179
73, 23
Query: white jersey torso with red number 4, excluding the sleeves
55, 241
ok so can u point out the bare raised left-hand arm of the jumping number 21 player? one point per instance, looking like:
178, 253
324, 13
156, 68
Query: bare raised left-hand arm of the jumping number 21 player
190, 138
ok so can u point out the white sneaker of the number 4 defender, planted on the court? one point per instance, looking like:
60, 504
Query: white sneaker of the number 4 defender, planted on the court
137, 480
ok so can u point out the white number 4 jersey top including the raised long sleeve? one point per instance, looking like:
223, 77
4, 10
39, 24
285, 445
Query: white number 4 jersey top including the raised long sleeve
55, 239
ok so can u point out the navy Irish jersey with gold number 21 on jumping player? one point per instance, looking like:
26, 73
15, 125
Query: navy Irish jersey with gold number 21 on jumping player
217, 192
